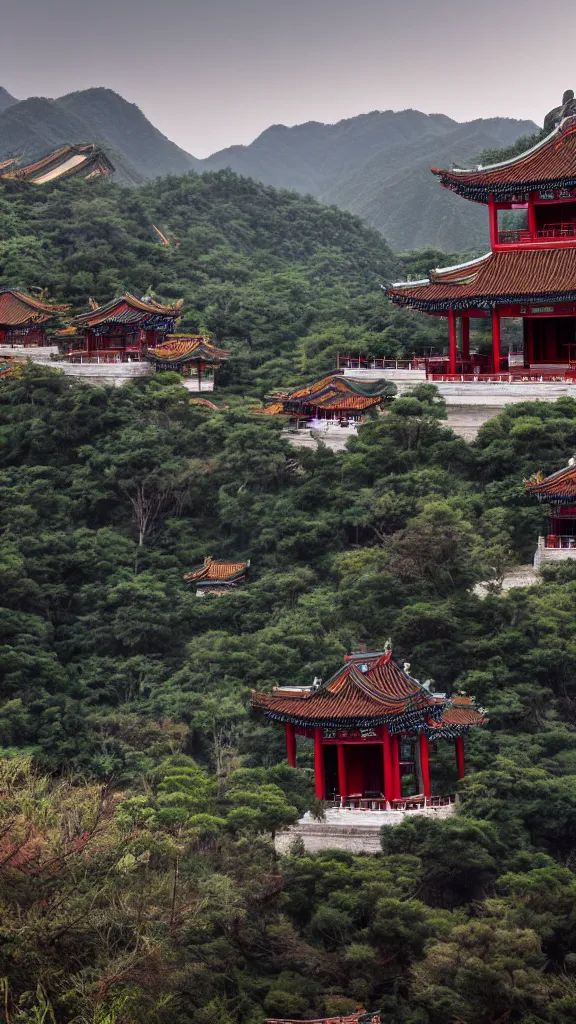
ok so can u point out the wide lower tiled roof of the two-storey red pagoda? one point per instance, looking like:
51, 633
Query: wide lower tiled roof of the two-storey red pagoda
515, 276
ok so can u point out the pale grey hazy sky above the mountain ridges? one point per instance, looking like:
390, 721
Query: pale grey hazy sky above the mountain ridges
214, 73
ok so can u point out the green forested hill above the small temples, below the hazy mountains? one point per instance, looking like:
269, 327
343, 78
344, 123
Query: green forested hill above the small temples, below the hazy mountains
280, 279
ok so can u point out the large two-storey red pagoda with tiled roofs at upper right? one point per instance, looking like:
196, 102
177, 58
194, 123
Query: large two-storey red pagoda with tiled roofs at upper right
530, 272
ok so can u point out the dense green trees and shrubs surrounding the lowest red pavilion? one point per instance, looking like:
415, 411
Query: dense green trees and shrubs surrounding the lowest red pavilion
140, 796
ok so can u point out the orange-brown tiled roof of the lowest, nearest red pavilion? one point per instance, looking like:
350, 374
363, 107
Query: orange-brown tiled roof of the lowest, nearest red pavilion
369, 691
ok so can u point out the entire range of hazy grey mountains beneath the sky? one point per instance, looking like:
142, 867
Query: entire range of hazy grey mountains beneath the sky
376, 165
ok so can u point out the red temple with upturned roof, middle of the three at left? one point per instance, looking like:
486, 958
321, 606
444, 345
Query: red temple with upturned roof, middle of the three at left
121, 331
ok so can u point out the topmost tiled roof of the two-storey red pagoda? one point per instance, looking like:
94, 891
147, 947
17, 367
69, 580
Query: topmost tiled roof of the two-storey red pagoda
549, 165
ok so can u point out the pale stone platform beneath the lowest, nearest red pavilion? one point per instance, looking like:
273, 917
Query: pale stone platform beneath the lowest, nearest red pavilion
355, 831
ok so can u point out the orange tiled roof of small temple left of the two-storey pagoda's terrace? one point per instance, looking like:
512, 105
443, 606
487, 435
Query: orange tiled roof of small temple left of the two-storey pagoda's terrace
334, 392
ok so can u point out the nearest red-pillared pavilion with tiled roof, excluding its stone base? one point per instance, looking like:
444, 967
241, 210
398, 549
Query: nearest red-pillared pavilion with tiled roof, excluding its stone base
372, 726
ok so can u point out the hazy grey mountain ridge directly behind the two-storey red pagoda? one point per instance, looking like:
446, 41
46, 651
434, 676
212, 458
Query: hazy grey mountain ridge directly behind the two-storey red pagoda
378, 165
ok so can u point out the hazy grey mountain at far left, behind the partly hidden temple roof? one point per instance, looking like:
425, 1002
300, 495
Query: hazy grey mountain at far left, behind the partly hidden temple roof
31, 129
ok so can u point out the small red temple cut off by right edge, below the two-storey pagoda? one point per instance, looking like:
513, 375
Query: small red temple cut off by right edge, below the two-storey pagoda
559, 492
